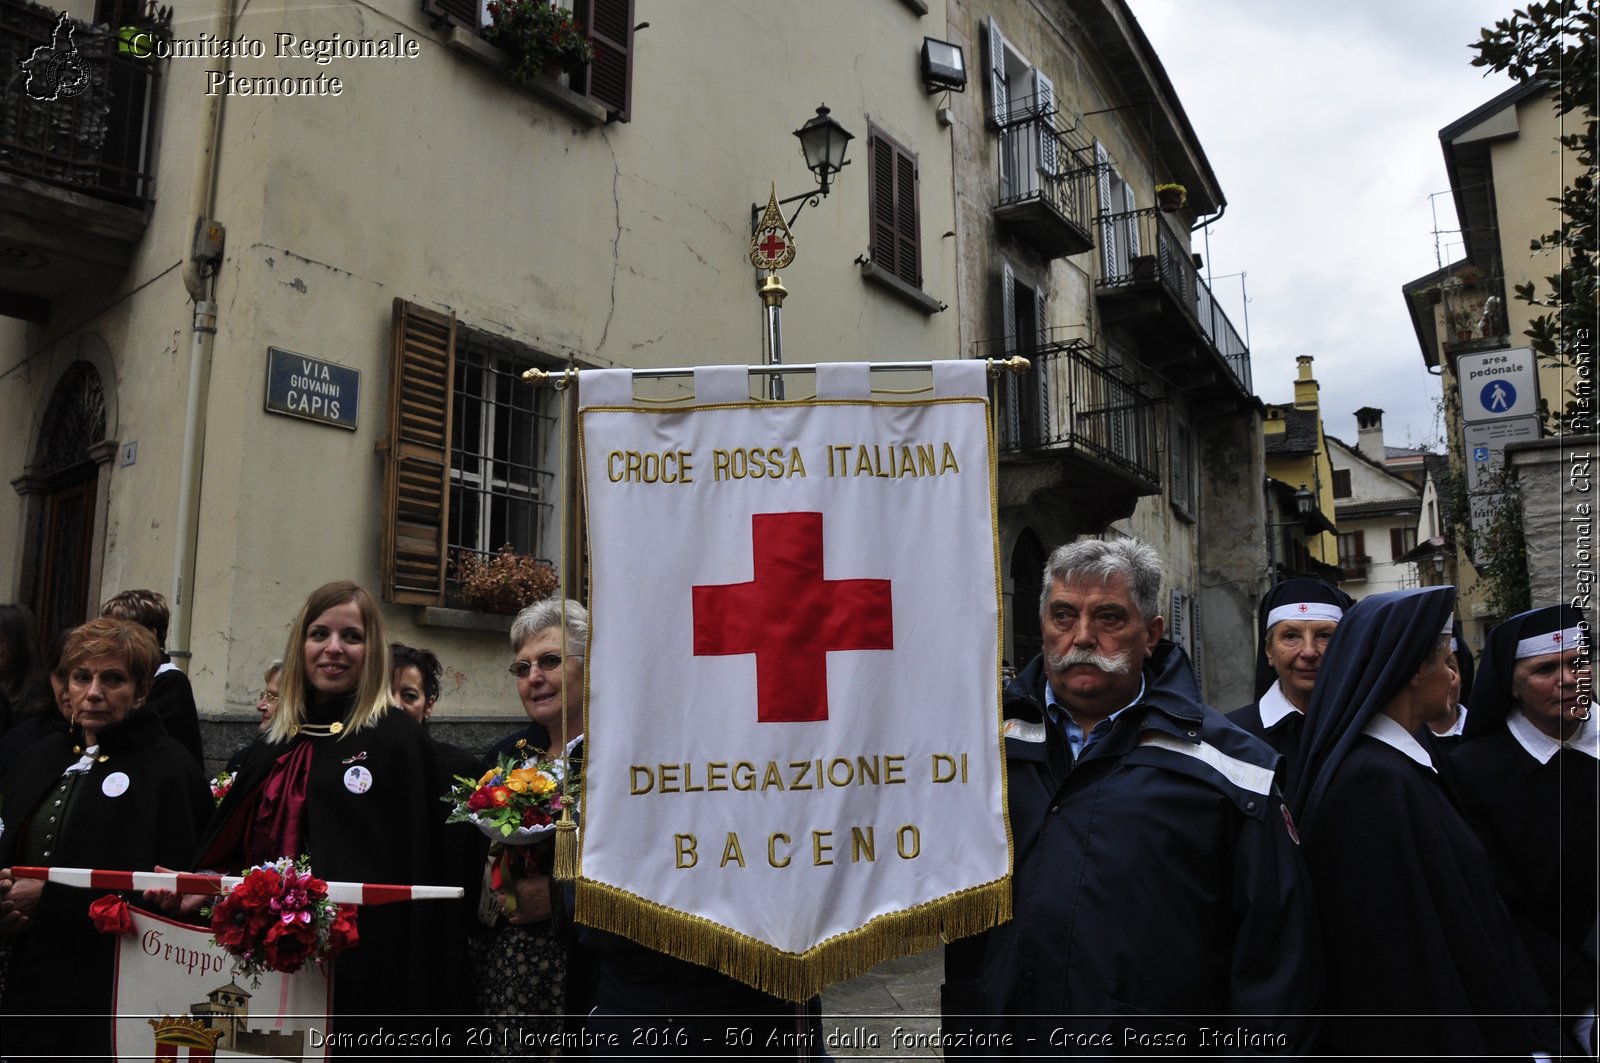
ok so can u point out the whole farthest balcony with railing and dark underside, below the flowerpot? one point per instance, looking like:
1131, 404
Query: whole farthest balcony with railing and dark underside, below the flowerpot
1150, 284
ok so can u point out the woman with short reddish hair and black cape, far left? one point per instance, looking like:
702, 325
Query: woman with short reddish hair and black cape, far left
113, 793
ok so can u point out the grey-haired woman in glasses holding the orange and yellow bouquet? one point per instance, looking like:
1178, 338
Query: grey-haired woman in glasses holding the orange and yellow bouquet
522, 961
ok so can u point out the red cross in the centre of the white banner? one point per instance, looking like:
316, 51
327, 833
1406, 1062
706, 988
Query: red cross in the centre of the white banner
791, 617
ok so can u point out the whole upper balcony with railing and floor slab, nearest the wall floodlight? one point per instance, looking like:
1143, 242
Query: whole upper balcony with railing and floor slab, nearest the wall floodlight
1047, 183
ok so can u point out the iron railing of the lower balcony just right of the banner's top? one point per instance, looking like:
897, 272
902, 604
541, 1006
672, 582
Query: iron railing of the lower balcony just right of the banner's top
1071, 399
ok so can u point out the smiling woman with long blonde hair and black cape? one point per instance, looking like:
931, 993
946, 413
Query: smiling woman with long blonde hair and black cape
351, 782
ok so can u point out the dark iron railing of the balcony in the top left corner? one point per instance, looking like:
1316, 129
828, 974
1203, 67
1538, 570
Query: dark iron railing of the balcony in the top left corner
79, 118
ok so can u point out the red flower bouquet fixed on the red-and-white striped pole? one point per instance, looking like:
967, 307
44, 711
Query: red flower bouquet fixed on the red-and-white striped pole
279, 918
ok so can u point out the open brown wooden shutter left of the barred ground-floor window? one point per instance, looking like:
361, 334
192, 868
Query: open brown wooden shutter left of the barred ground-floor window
417, 476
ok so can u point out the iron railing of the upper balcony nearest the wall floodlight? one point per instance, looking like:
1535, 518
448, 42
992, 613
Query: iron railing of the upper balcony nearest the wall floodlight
1042, 159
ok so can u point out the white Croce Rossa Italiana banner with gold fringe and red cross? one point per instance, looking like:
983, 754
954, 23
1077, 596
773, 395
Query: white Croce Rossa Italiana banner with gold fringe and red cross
793, 728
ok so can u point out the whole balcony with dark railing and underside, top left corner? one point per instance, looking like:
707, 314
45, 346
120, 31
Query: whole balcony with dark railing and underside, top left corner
76, 150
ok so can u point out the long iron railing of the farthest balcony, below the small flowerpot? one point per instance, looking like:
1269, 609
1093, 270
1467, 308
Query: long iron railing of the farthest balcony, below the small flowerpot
1140, 247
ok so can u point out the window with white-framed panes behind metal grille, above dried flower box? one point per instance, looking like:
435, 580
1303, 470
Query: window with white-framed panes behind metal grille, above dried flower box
502, 479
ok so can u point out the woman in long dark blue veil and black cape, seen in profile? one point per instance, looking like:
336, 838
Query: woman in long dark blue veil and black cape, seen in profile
1422, 957
